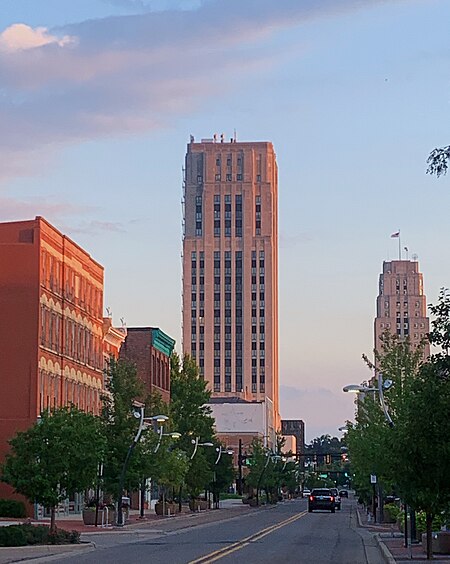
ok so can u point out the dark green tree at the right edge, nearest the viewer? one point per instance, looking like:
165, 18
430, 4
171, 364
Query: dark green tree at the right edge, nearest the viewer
421, 442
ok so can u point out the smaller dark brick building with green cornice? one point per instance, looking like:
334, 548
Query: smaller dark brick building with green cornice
150, 349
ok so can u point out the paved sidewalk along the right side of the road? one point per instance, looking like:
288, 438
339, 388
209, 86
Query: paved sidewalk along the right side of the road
392, 542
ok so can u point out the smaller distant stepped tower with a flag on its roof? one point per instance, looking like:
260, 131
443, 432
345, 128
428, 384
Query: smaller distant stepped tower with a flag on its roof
401, 303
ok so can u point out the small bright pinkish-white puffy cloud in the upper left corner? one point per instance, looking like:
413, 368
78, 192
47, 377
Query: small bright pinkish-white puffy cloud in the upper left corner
20, 37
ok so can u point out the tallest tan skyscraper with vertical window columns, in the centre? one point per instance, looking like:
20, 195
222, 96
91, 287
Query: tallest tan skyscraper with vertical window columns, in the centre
230, 267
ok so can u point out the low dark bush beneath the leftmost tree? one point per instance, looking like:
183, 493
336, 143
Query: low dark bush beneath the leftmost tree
24, 535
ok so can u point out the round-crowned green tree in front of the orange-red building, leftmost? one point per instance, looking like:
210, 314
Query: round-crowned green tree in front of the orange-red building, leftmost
56, 457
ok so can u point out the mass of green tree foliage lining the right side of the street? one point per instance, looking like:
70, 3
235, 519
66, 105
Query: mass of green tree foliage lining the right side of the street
413, 454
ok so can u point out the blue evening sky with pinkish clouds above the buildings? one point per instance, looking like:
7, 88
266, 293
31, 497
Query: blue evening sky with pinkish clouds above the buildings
98, 99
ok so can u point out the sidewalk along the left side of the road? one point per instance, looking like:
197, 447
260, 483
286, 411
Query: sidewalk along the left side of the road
151, 524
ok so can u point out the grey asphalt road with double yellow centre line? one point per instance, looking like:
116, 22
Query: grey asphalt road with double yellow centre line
284, 533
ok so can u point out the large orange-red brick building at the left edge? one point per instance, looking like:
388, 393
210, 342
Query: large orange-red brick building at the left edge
51, 326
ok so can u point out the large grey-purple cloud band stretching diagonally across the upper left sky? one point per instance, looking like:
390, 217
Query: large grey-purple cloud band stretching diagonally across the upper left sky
134, 73
